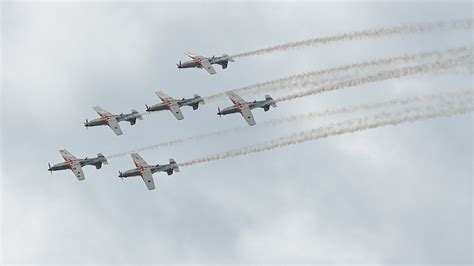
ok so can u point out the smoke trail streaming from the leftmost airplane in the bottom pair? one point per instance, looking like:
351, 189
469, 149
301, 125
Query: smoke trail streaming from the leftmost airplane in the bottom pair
423, 99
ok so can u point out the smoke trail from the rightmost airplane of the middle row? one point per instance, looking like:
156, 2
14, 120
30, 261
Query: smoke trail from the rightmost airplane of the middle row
385, 75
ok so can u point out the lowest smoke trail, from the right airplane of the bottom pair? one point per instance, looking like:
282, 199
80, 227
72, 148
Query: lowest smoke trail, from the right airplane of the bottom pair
349, 126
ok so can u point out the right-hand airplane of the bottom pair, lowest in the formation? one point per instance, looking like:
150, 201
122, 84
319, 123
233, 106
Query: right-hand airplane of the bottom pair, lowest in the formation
146, 171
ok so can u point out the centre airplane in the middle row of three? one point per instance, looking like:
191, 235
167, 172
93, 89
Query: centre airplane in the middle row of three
173, 104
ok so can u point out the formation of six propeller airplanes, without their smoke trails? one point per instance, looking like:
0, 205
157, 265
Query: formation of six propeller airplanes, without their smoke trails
169, 103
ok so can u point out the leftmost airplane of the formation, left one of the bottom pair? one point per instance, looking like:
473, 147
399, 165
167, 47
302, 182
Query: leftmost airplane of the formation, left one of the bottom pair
76, 164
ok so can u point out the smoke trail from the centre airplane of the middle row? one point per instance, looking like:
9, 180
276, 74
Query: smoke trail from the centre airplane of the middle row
294, 81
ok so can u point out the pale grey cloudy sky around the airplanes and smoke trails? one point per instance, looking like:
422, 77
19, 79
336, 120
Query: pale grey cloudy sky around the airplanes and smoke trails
399, 194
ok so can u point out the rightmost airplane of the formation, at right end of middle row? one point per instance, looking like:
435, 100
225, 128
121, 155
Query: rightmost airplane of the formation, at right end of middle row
244, 108
